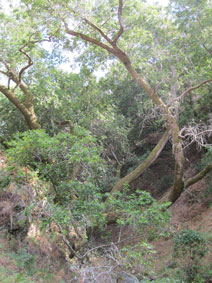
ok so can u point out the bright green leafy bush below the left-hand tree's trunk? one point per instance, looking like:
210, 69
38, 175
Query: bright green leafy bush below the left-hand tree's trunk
70, 162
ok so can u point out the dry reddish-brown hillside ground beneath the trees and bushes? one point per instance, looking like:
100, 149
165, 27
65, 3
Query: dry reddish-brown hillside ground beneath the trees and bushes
28, 257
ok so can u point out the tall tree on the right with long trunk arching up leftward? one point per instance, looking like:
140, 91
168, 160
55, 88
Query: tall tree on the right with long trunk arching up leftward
87, 23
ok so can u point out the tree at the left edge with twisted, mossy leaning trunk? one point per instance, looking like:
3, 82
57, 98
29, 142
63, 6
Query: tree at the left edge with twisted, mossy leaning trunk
15, 38
